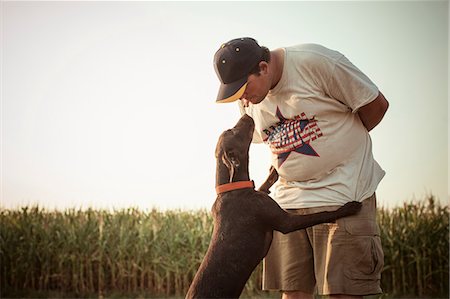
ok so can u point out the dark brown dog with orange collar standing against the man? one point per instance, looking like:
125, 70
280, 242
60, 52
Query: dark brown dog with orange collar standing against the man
244, 219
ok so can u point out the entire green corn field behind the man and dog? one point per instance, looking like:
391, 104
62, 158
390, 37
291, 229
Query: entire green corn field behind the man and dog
130, 253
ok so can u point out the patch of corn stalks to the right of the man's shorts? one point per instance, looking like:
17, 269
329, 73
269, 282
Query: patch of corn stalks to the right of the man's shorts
416, 246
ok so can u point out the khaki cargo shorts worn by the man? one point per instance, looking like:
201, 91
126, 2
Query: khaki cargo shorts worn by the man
344, 257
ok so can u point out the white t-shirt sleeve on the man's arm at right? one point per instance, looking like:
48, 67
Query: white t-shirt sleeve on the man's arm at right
350, 86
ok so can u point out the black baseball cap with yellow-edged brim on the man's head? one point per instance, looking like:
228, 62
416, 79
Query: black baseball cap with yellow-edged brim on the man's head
233, 62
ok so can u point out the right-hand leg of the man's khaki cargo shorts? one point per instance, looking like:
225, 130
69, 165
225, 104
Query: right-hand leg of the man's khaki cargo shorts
348, 257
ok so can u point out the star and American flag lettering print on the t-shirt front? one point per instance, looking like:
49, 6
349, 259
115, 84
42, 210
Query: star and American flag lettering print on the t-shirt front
292, 135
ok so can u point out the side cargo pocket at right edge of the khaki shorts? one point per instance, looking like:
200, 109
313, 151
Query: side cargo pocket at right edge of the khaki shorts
365, 259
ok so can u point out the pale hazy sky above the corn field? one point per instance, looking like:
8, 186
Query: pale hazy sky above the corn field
112, 104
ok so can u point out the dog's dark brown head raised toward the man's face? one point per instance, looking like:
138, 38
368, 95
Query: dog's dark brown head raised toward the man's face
233, 145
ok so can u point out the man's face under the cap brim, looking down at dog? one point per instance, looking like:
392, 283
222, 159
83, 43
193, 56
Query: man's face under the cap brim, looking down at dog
257, 88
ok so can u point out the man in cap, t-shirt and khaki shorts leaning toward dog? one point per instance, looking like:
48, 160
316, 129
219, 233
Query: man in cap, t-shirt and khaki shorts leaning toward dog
314, 109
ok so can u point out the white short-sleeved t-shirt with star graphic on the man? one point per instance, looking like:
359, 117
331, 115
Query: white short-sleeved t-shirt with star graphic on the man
320, 148
